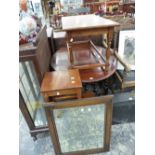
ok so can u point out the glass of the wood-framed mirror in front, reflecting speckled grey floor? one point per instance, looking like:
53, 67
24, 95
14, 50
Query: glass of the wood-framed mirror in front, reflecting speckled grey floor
80, 128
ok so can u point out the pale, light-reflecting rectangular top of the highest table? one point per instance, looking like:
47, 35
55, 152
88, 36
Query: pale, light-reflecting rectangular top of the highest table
86, 22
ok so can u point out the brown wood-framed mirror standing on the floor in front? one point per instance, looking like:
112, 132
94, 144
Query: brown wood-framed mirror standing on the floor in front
80, 146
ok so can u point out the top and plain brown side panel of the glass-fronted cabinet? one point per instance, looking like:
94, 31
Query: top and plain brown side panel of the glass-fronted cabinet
38, 52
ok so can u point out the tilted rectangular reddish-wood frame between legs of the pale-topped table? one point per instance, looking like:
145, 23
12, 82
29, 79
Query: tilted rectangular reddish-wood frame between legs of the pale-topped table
86, 55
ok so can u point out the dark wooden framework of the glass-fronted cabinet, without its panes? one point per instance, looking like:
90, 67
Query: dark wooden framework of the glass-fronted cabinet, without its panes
39, 54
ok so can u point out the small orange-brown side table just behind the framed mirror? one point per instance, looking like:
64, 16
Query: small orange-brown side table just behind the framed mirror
61, 83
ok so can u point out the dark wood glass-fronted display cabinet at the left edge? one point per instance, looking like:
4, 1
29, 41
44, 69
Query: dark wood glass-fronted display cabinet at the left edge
34, 57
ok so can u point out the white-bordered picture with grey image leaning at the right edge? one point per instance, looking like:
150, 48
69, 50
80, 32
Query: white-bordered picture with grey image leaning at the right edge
126, 48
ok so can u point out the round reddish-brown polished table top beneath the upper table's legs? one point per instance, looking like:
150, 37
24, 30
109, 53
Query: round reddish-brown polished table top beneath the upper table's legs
82, 56
